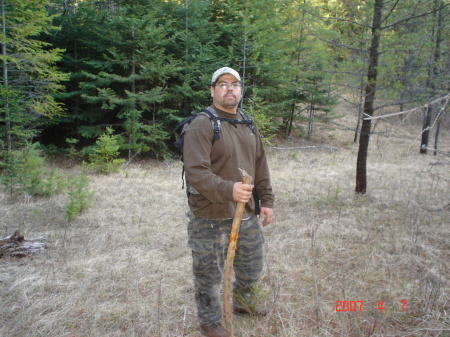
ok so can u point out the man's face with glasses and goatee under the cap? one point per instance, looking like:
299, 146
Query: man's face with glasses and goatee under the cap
227, 93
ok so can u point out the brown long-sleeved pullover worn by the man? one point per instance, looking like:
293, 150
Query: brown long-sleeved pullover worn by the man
212, 169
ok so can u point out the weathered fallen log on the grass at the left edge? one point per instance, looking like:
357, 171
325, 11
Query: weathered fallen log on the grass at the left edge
15, 245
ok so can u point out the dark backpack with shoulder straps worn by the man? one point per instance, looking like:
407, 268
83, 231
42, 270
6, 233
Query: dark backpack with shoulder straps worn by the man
181, 129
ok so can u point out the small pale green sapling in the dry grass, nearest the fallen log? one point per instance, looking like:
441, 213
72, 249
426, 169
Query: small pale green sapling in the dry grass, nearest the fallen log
79, 197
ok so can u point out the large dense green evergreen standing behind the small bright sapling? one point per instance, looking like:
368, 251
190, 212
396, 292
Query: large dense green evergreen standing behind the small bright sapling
128, 80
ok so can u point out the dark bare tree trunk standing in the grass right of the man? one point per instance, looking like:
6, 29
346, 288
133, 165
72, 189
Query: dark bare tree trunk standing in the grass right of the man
361, 164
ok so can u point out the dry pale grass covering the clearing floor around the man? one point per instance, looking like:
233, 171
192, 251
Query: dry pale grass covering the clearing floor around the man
123, 269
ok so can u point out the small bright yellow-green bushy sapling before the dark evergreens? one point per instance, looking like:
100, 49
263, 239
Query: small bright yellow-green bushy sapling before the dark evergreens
103, 156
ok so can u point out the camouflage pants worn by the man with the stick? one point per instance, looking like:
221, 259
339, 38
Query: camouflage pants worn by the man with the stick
208, 240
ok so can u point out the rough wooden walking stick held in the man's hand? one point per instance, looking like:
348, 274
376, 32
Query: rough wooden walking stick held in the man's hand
246, 179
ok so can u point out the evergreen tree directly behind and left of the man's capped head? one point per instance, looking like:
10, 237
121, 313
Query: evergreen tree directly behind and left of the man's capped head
199, 51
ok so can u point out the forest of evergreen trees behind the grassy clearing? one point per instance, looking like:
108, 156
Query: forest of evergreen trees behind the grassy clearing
130, 71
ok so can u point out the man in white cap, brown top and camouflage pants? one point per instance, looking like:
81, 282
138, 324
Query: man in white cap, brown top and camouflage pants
214, 182
